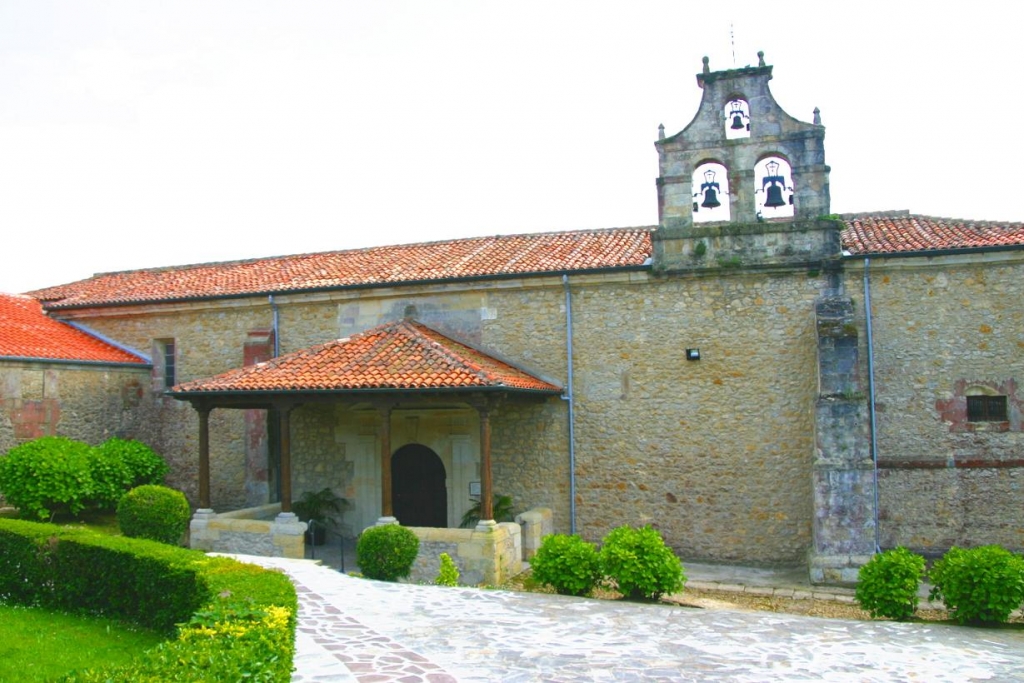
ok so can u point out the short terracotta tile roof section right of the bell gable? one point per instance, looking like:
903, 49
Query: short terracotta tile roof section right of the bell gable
898, 232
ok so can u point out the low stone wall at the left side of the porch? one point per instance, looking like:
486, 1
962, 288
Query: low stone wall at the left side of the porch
263, 531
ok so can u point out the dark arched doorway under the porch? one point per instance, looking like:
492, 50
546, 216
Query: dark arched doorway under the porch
419, 497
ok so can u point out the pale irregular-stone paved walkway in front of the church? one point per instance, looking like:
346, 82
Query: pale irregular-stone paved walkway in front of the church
366, 631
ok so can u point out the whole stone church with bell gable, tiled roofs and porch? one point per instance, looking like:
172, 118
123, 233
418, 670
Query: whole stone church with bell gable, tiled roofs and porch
763, 381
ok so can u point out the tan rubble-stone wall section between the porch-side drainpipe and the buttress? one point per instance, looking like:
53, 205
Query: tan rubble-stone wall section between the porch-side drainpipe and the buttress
714, 453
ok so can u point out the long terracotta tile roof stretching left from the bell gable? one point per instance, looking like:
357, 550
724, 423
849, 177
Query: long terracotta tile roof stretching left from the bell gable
474, 258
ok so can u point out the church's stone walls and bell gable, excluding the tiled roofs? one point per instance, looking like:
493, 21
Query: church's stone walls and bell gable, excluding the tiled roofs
729, 393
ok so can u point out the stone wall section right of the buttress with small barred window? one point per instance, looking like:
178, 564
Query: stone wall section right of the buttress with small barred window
943, 326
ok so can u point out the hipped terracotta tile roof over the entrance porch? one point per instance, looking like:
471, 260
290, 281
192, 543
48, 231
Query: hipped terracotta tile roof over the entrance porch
402, 356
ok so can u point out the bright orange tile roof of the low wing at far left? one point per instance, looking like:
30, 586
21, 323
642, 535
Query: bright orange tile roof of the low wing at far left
26, 332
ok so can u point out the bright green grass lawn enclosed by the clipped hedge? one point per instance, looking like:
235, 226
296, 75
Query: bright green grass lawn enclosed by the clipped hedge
40, 646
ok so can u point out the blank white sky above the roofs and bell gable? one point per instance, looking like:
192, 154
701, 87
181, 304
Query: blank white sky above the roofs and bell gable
143, 134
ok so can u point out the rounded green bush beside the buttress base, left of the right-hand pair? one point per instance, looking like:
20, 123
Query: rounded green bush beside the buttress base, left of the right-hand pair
888, 585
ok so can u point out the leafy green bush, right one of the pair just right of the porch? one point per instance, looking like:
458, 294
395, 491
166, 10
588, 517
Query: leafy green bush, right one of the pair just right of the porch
641, 564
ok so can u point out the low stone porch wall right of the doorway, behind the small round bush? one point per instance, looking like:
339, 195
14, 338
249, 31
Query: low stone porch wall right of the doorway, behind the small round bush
486, 556
